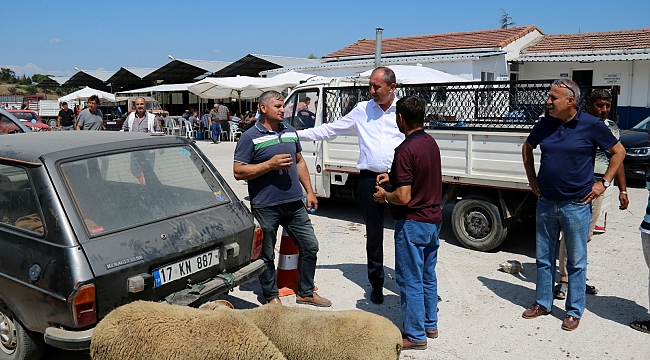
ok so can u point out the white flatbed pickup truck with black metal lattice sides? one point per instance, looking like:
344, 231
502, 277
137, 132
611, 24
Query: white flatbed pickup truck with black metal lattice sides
479, 127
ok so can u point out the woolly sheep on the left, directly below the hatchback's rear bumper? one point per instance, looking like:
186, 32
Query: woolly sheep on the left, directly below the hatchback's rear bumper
148, 330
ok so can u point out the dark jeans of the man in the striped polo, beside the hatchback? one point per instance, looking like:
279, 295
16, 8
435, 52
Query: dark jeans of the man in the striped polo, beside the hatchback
294, 219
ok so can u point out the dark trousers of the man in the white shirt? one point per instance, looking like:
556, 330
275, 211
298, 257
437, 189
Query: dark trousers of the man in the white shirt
373, 216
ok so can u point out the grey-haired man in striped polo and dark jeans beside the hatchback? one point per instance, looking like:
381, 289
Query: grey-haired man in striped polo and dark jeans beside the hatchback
268, 157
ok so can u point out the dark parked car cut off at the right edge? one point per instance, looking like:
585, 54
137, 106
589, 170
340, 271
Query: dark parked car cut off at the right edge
637, 147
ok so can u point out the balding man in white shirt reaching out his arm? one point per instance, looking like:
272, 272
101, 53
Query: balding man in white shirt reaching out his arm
374, 122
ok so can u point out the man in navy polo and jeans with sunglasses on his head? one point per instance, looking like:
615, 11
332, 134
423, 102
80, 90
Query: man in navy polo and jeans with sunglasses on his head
568, 140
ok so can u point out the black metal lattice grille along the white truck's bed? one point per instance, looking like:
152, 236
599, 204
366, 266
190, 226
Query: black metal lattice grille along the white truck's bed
494, 105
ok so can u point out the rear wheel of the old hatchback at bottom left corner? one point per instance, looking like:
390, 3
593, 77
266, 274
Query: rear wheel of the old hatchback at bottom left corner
16, 343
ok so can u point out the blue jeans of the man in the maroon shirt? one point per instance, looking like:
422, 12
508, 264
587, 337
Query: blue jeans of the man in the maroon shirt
416, 255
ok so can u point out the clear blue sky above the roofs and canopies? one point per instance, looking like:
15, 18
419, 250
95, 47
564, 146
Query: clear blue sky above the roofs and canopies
54, 36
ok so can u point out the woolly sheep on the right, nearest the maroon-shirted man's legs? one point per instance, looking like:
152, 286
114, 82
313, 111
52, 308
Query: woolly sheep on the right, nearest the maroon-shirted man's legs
304, 334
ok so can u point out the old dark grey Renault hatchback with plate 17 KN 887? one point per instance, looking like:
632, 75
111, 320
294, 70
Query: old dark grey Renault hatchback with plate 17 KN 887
92, 220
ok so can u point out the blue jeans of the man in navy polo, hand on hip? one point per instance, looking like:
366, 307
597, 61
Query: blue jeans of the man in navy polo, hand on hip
573, 218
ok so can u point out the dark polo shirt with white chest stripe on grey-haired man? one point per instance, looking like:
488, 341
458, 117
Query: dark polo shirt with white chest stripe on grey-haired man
259, 144
